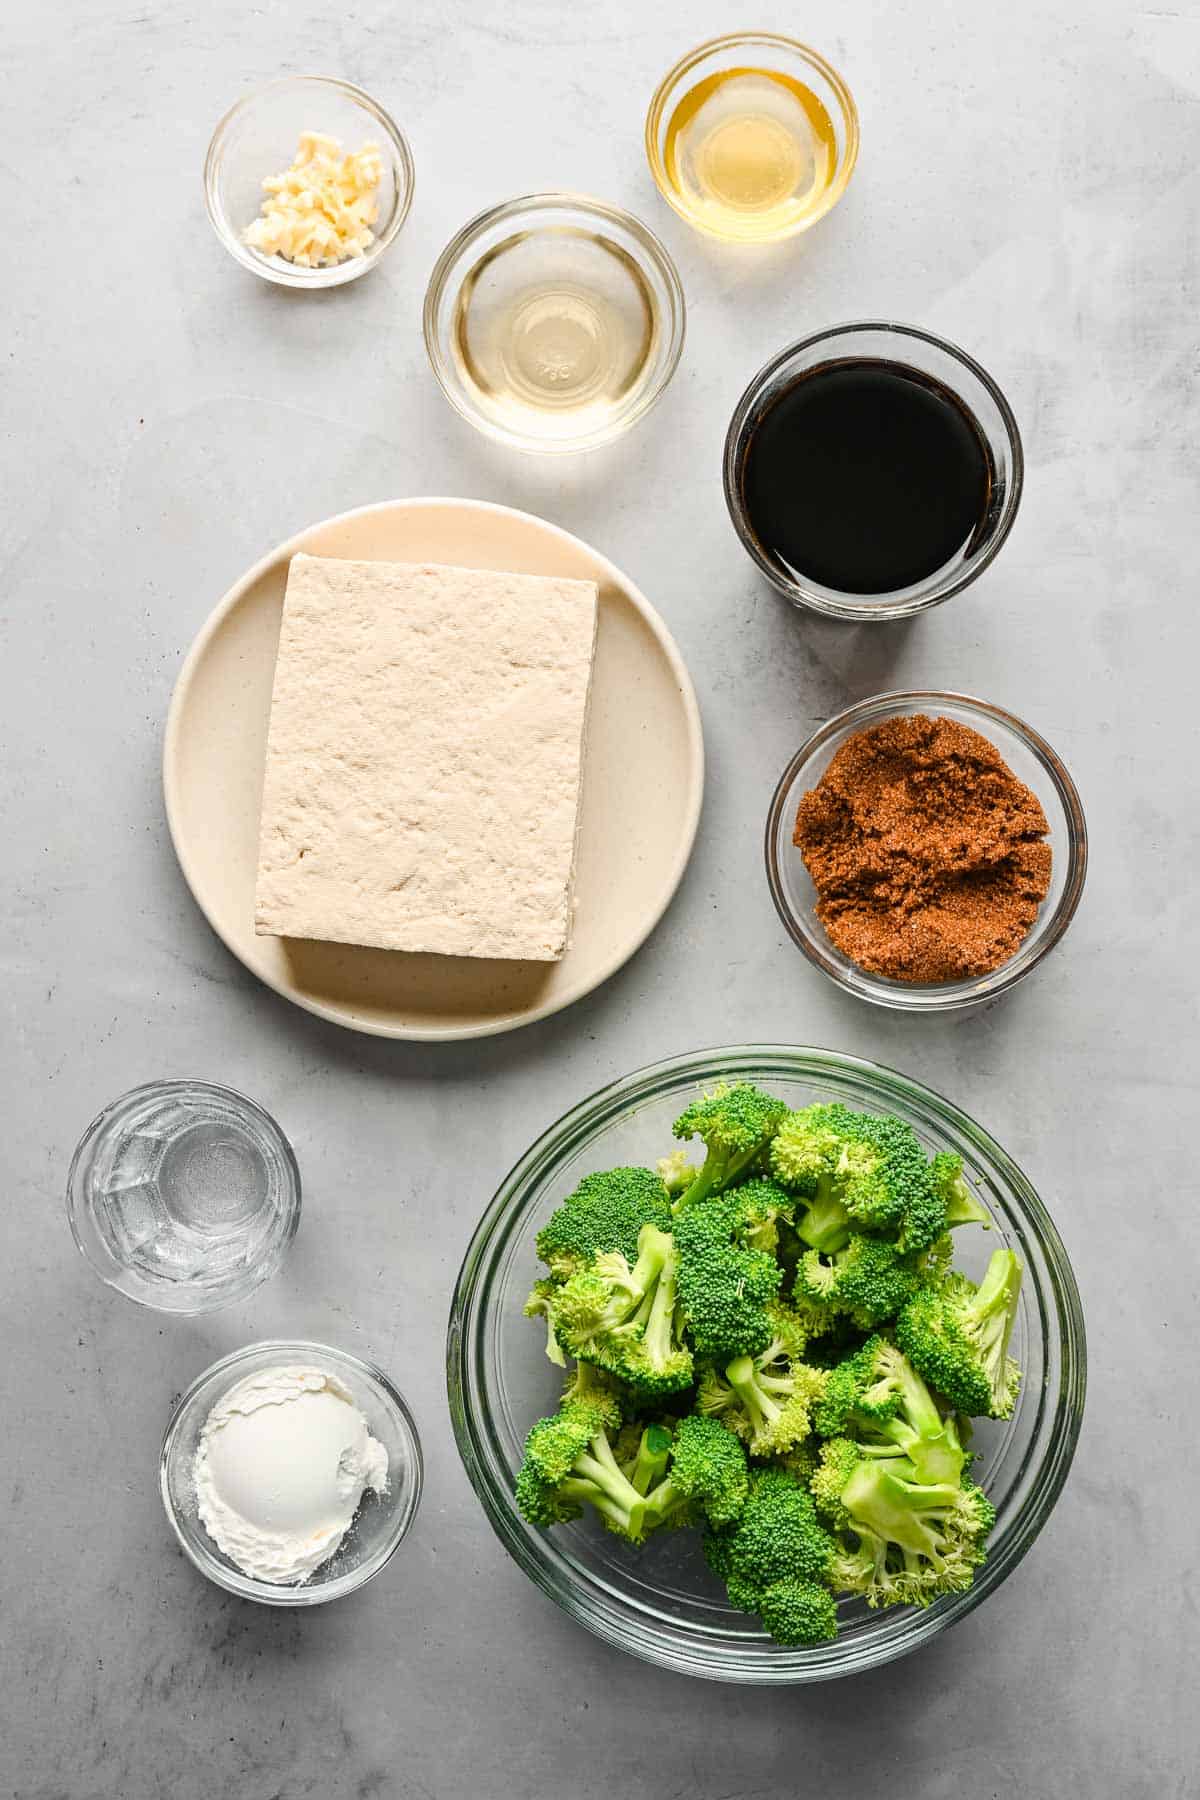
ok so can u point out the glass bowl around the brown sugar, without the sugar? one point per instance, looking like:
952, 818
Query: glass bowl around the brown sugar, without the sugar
1028, 755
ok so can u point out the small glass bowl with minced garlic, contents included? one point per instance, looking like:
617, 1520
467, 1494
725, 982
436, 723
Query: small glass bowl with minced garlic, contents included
309, 181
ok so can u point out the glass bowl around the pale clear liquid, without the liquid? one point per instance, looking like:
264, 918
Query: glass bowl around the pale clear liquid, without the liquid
479, 247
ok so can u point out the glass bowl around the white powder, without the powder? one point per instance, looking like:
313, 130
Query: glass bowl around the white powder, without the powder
381, 1522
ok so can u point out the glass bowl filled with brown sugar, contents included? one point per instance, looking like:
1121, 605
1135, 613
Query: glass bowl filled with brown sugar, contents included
926, 850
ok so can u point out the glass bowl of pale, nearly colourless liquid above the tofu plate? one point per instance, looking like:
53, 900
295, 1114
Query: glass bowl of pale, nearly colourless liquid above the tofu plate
555, 321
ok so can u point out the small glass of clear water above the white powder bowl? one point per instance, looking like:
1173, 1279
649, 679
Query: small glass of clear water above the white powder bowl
184, 1196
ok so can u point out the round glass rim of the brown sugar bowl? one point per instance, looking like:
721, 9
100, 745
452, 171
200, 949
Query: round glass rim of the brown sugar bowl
974, 989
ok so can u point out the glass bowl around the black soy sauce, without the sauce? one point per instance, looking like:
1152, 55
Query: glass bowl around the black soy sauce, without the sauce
927, 355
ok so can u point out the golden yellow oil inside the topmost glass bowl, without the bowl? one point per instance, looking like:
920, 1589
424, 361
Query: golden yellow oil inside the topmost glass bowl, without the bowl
751, 152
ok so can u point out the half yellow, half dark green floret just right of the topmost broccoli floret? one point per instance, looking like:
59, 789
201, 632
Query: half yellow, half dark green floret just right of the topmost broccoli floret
857, 1173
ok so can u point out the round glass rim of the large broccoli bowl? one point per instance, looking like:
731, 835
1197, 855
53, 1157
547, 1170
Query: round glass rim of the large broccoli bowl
505, 1216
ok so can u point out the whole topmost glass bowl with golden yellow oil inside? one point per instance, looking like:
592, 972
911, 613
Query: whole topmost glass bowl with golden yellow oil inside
753, 138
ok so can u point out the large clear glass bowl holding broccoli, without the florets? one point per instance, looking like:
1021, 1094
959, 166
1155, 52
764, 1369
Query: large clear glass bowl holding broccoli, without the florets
661, 1603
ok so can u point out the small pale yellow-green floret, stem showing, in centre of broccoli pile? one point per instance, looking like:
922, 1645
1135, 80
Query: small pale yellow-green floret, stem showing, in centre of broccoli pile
767, 1399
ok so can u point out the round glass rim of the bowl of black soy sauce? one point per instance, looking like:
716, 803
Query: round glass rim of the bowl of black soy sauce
868, 611
